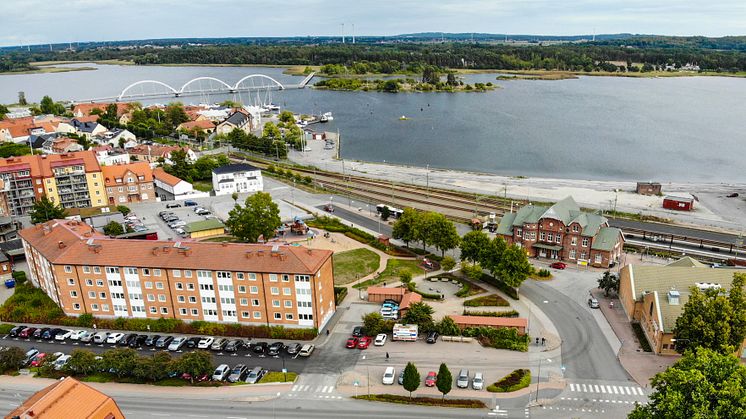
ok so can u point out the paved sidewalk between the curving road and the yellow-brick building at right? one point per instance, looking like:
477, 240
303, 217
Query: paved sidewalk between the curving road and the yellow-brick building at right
641, 365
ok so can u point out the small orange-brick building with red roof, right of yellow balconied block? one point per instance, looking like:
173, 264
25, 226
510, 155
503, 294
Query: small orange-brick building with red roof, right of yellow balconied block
126, 183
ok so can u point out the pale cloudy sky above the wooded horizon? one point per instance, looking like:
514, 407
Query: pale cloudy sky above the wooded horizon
44, 21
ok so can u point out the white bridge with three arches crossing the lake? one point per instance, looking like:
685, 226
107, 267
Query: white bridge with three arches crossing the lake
205, 86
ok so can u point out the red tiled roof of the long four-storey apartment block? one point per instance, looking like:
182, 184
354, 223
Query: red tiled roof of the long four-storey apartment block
65, 242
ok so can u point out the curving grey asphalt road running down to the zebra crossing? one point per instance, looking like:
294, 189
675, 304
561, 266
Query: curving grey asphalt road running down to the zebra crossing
586, 354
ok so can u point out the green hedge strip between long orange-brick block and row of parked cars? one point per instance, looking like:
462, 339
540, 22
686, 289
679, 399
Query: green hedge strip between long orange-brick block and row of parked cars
31, 305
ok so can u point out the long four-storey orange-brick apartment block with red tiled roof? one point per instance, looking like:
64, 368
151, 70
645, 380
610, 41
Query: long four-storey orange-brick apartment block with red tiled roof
86, 272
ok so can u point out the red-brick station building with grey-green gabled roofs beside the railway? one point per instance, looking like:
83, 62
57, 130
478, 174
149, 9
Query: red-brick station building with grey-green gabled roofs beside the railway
563, 232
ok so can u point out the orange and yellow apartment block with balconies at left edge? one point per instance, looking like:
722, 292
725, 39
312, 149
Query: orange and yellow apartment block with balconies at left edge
72, 179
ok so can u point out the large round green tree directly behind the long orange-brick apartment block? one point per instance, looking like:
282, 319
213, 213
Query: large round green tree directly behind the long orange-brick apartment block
260, 217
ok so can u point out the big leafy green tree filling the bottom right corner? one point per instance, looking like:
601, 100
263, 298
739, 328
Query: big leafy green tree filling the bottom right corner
702, 384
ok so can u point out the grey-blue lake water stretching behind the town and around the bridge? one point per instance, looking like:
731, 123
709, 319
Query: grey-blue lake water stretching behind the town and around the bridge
668, 129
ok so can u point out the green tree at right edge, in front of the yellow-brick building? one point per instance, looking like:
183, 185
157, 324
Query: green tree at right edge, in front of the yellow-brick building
713, 319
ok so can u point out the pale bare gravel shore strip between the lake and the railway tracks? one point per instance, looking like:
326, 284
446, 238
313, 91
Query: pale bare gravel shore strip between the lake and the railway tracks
713, 210
